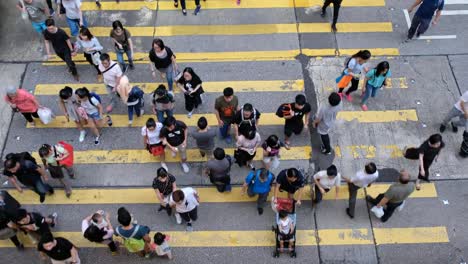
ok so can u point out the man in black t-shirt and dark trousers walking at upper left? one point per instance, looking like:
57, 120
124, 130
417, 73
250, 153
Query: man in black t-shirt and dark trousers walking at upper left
61, 44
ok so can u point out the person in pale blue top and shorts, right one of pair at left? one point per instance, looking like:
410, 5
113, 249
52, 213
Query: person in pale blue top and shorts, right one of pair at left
91, 105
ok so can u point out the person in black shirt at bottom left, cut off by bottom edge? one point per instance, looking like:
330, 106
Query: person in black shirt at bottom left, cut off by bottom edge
58, 249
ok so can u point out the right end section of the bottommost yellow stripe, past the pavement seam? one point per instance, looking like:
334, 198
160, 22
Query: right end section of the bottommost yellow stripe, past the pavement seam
415, 235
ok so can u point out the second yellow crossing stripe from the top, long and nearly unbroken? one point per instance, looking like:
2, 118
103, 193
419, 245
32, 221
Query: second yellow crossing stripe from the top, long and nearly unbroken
245, 29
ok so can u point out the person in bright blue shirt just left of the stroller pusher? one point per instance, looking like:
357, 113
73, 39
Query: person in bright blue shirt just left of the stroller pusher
258, 182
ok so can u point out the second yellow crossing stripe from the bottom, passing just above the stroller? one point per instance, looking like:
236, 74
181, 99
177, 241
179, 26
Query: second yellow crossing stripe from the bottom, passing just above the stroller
207, 195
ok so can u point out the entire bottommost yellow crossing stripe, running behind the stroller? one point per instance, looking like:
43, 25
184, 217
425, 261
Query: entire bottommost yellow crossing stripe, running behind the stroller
266, 238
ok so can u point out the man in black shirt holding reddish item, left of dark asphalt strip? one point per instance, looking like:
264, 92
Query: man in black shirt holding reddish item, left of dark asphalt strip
296, 116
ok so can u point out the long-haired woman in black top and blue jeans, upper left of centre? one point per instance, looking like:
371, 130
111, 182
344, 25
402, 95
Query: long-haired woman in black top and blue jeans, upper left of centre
164, 61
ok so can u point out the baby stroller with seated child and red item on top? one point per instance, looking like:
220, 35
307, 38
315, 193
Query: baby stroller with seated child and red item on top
289, 206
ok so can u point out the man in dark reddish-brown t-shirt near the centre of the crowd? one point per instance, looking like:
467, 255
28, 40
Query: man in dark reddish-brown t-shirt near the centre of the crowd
226, 107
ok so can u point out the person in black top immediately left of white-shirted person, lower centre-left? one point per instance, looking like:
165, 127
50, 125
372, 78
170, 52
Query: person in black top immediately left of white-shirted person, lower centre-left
164, 184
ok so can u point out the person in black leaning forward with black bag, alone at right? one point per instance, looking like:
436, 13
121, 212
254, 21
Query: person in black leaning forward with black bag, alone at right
427, 153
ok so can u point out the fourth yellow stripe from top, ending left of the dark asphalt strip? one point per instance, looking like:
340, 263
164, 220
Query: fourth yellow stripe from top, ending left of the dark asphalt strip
209, 87
